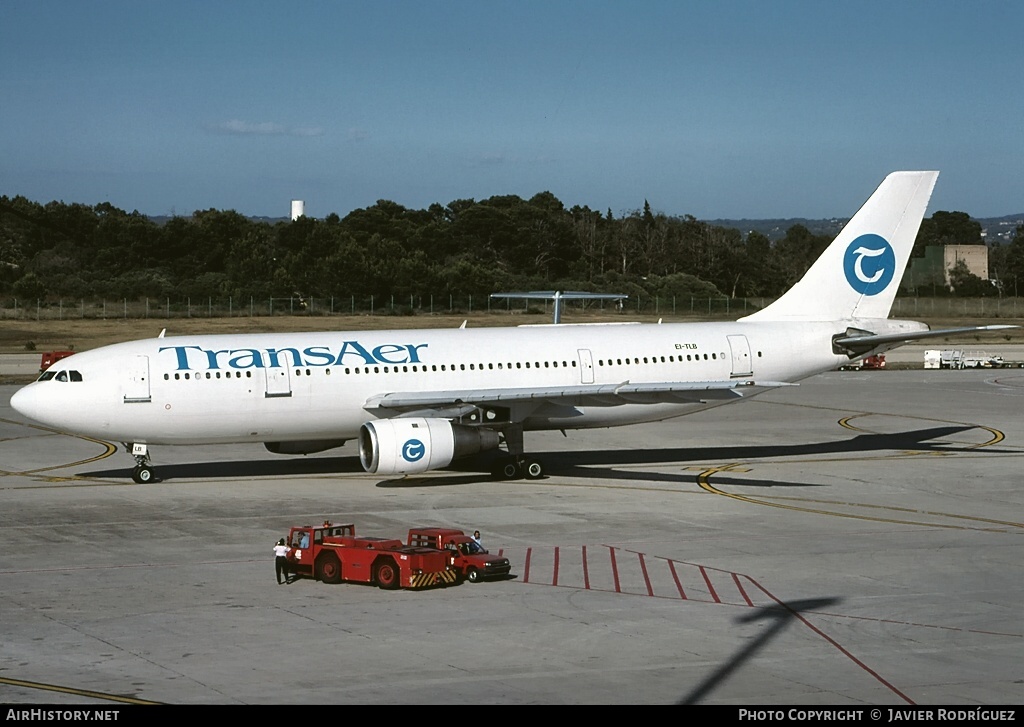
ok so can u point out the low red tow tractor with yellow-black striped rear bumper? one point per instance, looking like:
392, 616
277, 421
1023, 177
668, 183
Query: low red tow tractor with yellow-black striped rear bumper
333, 553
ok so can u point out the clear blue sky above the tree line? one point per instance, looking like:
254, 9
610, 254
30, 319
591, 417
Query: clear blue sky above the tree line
730, 109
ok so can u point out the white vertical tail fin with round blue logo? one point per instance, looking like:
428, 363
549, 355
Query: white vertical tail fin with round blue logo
860, 273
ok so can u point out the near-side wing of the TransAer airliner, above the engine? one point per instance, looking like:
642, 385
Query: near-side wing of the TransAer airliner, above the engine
578, 396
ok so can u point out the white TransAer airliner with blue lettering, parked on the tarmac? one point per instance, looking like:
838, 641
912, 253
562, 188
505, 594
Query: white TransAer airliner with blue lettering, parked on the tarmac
418, 400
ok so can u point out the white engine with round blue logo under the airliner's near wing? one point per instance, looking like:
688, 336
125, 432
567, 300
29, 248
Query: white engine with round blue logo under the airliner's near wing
419, 445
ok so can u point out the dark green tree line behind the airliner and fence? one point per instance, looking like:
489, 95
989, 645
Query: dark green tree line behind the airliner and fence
465, 248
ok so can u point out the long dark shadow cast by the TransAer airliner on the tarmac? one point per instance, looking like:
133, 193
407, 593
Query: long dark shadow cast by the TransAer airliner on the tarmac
586, 464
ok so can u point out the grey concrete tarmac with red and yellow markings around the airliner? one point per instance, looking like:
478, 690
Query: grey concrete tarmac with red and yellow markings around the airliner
858, 540
